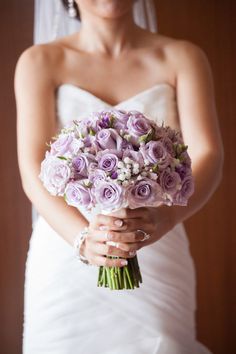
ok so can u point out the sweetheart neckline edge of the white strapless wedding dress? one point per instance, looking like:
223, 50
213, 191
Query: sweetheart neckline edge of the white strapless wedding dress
143, 92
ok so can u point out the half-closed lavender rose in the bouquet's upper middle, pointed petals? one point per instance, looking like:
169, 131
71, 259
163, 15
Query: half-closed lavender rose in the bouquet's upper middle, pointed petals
109, 139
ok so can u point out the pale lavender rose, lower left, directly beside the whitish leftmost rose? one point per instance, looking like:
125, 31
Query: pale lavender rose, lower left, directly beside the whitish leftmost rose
77, 194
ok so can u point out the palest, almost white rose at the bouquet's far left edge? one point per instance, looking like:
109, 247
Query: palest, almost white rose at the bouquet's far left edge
55, 174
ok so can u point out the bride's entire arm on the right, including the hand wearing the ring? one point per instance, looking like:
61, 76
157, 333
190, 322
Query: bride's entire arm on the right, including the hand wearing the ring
199, 125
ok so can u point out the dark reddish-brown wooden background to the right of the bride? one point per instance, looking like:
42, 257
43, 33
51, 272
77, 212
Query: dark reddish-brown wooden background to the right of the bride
211, 25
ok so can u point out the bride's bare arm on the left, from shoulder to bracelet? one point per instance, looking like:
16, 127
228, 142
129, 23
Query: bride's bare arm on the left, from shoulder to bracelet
36, 124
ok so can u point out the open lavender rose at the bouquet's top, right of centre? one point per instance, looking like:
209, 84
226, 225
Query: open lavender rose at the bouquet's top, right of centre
138, 125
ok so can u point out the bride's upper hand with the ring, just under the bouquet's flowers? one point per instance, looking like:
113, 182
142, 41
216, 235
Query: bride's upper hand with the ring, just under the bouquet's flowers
153, 221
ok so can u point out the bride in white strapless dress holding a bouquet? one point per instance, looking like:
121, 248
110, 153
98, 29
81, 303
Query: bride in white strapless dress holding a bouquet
113, 63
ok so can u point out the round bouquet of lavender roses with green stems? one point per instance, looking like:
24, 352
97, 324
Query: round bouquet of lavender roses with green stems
115, 159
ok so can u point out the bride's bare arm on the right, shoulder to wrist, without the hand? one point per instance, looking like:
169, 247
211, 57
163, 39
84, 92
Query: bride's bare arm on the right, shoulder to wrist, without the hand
199, 125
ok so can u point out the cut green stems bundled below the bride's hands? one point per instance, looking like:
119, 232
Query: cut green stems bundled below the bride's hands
116, 278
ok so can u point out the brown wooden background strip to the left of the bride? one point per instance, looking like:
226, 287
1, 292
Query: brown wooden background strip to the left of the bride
16, 25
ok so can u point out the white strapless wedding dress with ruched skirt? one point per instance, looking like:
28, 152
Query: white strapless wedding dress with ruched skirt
65, 312
